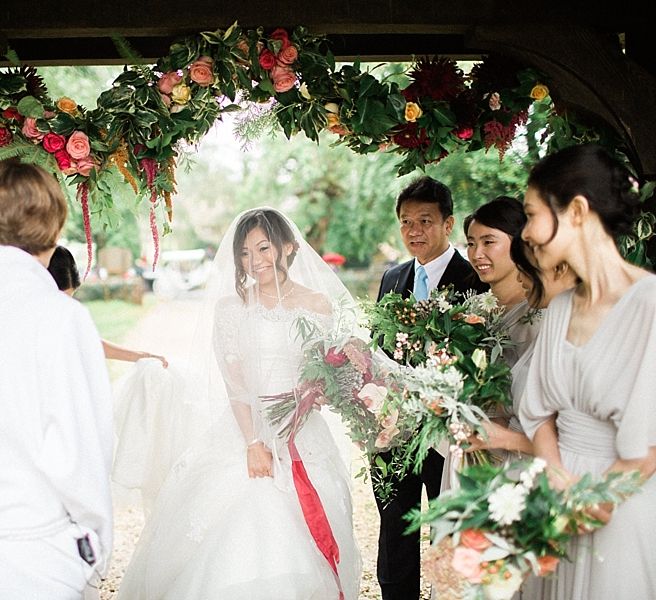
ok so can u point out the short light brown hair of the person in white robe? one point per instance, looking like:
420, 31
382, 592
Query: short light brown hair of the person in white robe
32, 207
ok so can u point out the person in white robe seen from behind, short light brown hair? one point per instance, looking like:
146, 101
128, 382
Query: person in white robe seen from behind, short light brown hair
55, 407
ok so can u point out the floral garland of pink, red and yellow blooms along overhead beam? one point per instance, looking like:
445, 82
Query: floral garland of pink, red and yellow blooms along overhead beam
133, 137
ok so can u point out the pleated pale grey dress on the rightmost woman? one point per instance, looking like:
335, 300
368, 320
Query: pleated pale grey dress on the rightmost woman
604, 396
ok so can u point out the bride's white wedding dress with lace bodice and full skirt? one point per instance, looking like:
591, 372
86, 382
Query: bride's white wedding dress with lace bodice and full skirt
214, 533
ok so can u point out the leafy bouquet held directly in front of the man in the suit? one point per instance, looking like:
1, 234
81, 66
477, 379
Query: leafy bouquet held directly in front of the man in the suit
453, 376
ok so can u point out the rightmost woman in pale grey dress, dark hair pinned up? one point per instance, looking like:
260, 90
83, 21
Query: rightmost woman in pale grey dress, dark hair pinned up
589, 406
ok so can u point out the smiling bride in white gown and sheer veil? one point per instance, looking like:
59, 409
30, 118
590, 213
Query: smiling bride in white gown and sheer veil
239, 515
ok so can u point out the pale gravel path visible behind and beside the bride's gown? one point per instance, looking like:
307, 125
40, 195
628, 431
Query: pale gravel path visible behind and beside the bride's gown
160, 332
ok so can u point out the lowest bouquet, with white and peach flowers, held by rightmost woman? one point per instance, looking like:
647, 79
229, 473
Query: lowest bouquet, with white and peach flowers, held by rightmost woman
504, 523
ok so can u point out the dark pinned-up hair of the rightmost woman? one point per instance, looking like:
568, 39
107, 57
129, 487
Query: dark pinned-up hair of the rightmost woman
587, 170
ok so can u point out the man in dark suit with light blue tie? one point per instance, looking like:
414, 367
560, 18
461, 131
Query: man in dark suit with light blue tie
425, 212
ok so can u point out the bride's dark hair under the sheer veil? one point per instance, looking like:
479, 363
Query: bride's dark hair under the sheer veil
278, 232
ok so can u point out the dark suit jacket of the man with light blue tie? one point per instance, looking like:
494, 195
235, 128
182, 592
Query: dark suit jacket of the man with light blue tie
459, 272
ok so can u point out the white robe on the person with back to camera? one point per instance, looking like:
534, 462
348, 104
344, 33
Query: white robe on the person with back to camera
55, 411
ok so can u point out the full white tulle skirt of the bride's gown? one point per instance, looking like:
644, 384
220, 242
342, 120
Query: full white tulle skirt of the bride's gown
214, 533
